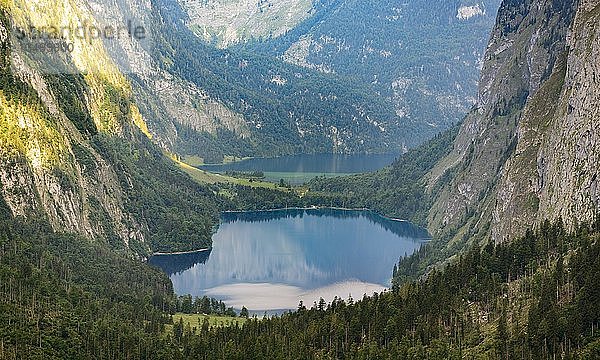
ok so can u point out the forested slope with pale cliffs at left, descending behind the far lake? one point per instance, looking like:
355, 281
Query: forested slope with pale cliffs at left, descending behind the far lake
205, 102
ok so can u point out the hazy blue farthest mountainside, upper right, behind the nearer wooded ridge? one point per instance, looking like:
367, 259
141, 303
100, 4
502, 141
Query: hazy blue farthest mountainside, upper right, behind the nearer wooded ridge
423, 56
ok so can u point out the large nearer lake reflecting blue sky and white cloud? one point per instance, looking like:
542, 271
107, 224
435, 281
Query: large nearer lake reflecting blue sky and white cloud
269, 261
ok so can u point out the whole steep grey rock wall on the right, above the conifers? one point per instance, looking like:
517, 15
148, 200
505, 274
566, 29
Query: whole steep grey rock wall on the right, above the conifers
527, 153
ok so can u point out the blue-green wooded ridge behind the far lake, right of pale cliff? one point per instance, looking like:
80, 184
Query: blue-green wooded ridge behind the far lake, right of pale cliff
287, 109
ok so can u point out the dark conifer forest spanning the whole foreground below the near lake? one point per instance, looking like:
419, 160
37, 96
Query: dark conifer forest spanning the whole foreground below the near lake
535, 297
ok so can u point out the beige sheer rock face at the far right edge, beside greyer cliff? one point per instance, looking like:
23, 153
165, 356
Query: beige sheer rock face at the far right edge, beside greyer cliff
569, 156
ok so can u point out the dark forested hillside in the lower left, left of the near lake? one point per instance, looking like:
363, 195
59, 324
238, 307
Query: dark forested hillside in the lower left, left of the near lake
64, 297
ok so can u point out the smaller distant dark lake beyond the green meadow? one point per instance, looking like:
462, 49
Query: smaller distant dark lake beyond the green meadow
306, 167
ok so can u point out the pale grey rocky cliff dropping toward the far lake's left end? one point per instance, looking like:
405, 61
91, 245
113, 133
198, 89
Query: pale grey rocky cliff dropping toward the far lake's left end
179, 114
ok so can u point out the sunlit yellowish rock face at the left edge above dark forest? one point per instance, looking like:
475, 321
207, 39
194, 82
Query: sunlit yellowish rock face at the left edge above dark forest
42, 168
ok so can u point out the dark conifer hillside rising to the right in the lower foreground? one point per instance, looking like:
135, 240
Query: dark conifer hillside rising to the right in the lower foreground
533, 298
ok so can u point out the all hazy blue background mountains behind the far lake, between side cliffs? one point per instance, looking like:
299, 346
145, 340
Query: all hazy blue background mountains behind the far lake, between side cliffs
310, 80
